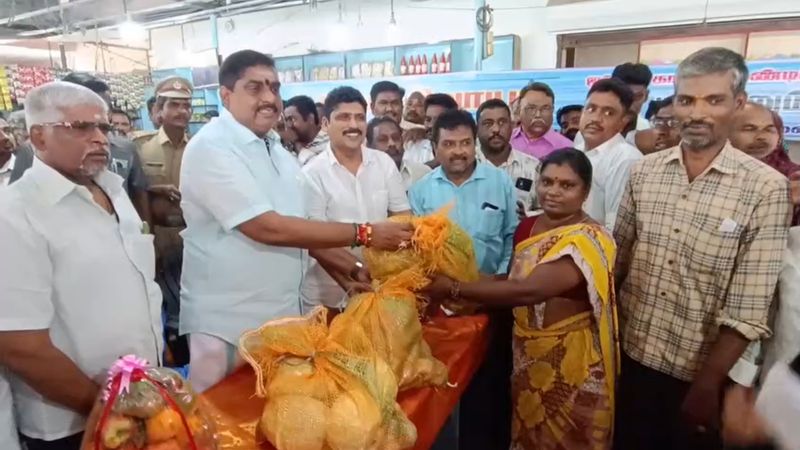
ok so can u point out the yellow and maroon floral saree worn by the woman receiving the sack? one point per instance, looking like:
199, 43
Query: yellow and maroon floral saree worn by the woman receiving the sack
564, 373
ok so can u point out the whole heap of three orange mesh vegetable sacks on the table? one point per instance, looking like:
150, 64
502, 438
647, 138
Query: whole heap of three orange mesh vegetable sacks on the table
334, 386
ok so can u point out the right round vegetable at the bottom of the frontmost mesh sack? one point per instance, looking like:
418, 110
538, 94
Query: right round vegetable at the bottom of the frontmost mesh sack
353, 421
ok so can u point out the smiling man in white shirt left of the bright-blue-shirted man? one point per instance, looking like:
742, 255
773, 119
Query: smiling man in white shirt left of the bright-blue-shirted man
347, 183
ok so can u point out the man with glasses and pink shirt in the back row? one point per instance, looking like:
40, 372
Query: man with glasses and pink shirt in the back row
535, 135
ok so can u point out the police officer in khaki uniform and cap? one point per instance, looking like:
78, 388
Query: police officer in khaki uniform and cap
161, 155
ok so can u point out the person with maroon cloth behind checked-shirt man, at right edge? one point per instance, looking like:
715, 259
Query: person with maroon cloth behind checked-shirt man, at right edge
759, 132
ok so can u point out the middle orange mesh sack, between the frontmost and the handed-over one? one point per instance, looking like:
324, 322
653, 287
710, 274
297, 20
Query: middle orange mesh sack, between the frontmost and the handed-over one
388, 316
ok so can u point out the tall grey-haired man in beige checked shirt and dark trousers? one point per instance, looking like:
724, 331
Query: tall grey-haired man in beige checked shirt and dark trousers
700, 232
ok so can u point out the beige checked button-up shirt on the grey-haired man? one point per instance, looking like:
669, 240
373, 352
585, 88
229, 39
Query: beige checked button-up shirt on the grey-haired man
697, 255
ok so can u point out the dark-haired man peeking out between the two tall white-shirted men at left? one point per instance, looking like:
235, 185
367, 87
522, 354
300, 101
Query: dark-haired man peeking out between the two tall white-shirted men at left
300, 115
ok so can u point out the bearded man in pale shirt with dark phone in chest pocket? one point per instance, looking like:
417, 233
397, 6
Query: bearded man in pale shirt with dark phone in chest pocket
494, 134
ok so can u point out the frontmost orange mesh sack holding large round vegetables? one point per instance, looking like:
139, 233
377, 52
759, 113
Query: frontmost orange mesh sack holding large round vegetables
325, 389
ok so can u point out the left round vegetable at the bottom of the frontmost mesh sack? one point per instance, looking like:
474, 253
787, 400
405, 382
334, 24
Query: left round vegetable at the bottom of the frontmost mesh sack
294, 422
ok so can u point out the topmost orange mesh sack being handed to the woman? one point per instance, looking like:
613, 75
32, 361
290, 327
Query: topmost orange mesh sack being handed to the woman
438, 245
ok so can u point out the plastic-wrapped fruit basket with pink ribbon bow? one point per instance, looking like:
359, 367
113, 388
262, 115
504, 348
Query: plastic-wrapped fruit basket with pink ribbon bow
148, 408
